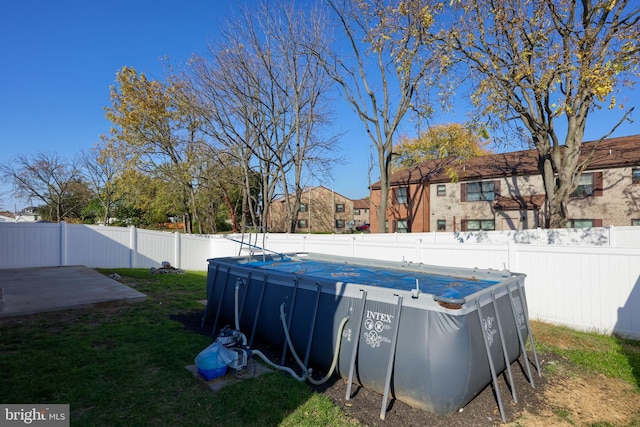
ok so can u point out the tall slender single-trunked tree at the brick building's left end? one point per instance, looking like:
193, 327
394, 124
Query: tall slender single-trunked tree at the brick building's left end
386, 72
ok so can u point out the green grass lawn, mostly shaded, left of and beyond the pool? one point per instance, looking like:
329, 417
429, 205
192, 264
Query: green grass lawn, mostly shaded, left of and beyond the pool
124, 366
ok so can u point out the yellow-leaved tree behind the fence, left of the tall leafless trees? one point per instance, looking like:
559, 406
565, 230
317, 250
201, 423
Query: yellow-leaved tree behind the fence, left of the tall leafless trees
157, 134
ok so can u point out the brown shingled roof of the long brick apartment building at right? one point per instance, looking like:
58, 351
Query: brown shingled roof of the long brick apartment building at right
609, 153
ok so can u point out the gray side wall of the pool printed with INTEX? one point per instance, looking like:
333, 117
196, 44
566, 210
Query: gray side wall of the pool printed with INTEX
440, 362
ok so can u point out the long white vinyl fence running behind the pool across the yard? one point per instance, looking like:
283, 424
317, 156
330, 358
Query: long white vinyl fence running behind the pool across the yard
585, 279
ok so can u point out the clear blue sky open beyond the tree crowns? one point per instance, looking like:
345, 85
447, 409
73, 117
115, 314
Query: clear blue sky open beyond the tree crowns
59, 59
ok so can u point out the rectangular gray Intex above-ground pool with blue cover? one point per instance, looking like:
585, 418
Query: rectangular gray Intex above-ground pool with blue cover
432, 337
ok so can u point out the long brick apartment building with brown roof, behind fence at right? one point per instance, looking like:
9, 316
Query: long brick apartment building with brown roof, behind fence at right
505, 192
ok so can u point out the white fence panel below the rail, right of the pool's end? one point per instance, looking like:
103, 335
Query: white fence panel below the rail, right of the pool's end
594, 289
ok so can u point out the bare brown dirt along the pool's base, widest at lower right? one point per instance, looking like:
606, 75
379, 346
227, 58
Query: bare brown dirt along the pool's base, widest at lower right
560, 397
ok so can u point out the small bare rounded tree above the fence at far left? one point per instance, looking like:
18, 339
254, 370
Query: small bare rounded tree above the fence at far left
48, 178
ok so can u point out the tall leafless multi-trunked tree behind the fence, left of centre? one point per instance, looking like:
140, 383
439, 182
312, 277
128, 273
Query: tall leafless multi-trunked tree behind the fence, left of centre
263, 98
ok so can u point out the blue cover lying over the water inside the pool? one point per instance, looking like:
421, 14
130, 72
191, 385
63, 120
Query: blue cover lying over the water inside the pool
405, 279
